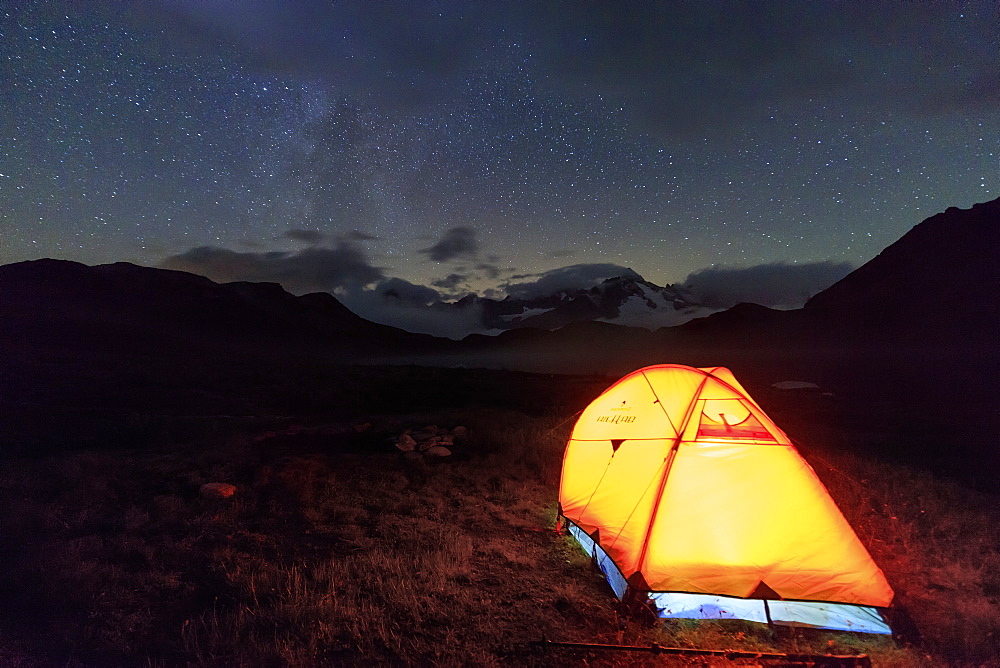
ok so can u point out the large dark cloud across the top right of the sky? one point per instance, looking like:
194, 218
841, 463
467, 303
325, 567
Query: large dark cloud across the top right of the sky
734, 62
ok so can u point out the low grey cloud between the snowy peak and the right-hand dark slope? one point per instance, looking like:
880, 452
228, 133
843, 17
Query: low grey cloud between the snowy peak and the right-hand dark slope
779, 285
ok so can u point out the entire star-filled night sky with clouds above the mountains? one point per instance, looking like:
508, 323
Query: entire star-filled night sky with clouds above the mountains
447, 147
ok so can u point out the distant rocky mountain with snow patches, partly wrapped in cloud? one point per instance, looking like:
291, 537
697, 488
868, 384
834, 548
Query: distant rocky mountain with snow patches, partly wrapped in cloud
625, 300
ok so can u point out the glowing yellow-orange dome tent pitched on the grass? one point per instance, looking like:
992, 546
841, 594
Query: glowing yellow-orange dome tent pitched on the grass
692, 501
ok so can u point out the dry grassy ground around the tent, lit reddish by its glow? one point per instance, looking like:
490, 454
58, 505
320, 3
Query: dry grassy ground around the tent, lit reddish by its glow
337, 550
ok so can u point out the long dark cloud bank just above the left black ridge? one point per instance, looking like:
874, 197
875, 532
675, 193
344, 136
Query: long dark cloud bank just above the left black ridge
309, 270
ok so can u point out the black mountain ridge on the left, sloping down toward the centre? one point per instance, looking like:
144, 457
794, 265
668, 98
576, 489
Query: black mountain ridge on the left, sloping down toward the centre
125, 308
